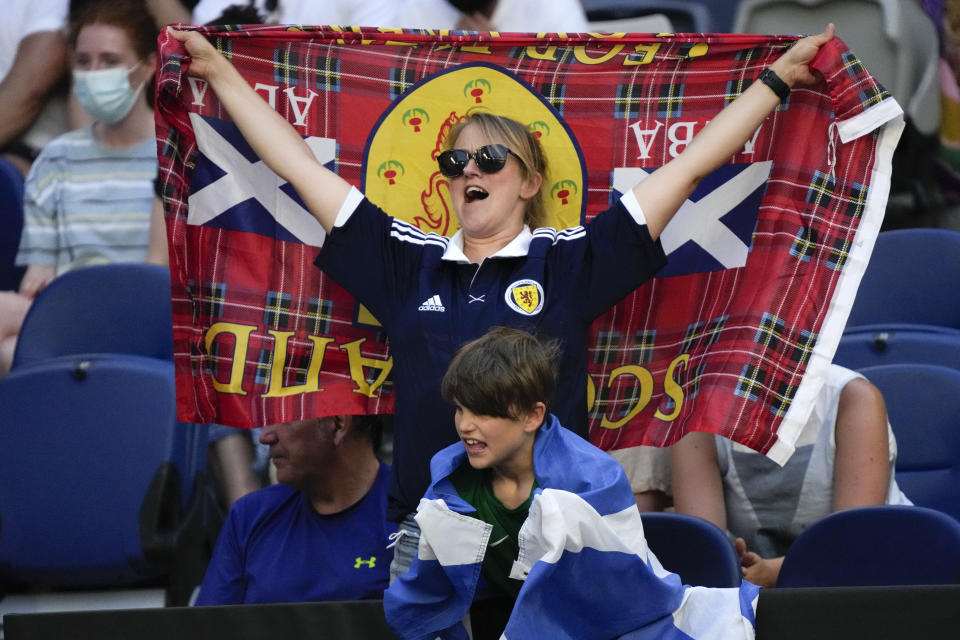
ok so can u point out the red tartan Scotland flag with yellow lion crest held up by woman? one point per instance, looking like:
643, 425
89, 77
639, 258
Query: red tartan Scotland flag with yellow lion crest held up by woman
733, 337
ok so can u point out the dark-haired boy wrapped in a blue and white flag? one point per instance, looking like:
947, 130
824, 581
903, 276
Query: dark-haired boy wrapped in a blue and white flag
546, 519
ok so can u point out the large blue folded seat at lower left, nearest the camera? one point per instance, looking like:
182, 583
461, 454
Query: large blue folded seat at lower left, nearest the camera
100, 485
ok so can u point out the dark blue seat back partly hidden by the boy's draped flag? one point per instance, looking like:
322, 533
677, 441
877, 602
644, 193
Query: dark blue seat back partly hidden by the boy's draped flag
695, 549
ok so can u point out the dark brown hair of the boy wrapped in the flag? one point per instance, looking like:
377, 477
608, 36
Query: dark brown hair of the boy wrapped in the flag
503, 374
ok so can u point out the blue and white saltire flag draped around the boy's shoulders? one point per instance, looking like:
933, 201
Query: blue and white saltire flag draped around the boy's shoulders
583, 529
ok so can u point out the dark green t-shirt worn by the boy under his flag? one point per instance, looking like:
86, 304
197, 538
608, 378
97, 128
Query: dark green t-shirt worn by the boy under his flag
474, 486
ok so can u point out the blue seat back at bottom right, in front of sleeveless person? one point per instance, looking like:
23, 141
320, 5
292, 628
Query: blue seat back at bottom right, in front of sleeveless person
873, 546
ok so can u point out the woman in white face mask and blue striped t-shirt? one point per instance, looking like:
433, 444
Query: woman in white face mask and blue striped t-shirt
87, 197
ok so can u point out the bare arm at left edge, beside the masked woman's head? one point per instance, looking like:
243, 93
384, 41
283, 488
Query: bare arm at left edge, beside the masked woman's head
40, 62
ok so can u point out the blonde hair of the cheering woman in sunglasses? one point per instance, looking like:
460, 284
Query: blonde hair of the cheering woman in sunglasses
521, 142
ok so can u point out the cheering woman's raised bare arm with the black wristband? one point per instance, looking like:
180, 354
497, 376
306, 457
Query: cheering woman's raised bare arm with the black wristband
663, 192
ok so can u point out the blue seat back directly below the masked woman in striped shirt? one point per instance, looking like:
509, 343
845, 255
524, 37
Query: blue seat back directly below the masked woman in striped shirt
115, 308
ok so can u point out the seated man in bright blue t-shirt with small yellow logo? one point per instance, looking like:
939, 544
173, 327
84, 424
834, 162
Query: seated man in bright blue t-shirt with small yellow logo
321, 533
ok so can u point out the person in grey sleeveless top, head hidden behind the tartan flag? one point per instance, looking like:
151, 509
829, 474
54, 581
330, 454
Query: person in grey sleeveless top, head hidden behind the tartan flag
844, 458
